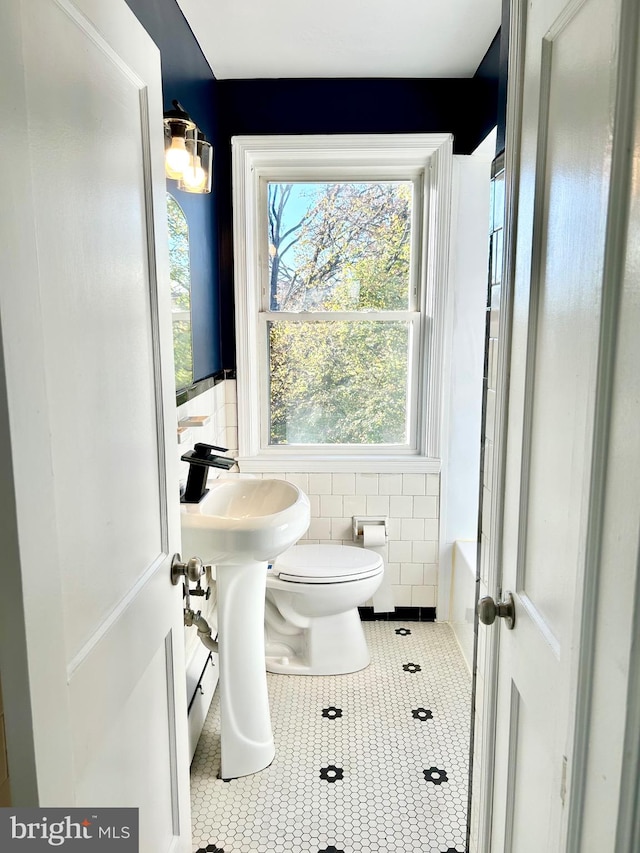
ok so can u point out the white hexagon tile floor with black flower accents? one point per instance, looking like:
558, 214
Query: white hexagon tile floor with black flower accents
372, 762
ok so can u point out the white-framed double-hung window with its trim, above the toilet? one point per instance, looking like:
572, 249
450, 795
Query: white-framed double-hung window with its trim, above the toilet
340, 300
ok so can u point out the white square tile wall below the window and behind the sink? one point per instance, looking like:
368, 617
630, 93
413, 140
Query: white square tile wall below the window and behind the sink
409, 501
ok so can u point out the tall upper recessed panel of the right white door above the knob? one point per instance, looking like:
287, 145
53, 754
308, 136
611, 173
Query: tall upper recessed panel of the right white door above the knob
567, 267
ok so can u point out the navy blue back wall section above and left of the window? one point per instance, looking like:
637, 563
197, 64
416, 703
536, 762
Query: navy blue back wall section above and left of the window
464, 107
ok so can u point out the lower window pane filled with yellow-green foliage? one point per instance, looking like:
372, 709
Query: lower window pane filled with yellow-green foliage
338, 382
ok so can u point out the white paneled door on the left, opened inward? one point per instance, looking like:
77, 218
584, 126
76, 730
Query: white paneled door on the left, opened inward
92, 637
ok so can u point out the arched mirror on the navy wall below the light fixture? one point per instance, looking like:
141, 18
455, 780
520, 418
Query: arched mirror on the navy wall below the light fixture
180, 273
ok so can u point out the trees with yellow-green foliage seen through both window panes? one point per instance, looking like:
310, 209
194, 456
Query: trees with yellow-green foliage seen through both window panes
340, 382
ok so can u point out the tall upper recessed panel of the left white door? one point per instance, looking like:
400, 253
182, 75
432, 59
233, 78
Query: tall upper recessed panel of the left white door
97, 328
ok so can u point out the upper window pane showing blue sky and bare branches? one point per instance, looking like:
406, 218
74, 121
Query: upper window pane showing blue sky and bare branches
339, 246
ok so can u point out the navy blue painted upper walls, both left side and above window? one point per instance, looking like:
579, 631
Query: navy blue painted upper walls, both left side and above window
467, 108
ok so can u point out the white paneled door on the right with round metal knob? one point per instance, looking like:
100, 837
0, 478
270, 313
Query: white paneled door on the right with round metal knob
563, 326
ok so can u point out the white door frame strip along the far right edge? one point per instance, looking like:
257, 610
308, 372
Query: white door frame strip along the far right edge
598, 642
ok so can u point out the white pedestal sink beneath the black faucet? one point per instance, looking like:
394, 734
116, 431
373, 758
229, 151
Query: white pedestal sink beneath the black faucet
240, 526
